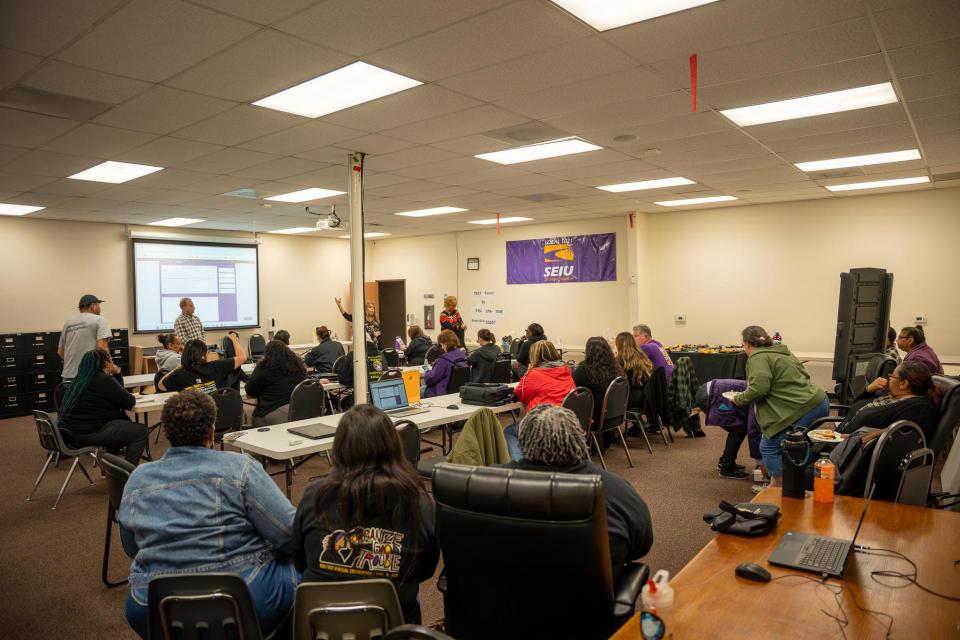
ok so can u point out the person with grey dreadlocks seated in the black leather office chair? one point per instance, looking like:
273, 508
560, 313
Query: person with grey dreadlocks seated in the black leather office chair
552, 441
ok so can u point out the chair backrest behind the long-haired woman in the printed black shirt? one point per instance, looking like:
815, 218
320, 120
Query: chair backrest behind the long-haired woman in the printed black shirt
351, 609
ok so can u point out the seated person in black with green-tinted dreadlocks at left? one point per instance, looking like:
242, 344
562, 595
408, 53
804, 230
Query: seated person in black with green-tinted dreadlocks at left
93, 411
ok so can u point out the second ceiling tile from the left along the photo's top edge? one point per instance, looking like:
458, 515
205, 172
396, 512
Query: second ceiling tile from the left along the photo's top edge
155, 39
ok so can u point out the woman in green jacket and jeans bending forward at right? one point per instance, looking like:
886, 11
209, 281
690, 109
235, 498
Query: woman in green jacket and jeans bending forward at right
780, 389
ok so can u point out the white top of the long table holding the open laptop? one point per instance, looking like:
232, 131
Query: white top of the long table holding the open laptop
275, 443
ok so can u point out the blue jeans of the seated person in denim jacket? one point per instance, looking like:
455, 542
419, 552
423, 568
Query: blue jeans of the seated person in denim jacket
272, 592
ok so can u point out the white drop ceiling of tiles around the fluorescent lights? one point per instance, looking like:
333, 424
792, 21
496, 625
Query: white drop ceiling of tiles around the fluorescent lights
170, 82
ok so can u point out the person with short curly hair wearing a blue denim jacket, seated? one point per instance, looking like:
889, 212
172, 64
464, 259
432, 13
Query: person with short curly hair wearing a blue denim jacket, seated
200, 510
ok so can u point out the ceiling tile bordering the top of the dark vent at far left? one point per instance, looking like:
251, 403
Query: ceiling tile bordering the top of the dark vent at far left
59, 77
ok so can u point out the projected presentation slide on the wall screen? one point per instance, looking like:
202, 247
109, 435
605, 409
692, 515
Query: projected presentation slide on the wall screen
220, 279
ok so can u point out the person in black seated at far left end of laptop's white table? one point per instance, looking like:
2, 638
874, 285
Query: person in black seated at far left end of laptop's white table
272, 382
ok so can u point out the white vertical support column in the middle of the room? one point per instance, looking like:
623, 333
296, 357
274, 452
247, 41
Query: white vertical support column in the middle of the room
355, 194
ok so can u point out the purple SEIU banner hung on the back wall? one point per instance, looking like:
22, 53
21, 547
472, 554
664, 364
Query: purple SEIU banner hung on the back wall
590, 258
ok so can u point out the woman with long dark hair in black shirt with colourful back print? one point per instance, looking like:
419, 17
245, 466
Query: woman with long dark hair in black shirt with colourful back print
370, 518
